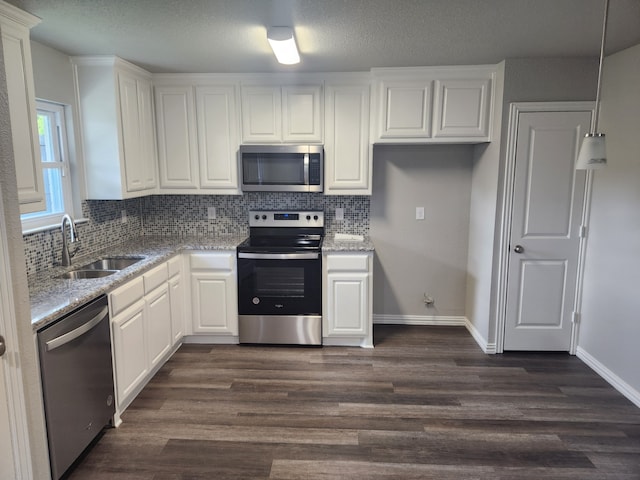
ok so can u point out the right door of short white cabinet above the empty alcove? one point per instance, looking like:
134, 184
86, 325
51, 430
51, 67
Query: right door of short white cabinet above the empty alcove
462, 108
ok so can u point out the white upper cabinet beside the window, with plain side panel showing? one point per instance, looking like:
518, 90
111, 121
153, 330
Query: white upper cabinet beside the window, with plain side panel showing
116, 114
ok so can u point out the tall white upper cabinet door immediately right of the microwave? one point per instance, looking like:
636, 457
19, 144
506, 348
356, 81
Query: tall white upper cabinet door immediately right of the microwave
347, 147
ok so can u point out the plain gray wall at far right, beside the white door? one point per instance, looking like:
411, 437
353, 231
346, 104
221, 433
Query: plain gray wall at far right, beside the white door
610, 326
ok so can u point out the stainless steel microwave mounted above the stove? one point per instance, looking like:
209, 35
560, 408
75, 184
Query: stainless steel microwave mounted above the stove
282, 168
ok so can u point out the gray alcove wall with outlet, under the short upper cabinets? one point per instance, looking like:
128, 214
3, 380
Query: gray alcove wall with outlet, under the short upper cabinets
412, 256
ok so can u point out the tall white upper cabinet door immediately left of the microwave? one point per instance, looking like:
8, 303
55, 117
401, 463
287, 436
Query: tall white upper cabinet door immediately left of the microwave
217, 138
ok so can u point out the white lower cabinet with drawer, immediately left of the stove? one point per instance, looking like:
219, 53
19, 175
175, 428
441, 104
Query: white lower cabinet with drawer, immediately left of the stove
214, 304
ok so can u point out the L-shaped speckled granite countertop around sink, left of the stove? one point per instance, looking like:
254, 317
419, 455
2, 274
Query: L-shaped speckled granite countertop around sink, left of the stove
52, 297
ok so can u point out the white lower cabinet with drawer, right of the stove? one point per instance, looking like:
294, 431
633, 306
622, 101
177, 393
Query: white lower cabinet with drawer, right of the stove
347, 299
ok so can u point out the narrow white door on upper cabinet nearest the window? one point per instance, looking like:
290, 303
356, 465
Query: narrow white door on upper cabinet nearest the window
130, 130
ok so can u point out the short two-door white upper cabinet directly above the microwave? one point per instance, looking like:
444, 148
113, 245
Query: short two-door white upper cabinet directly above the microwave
282, 114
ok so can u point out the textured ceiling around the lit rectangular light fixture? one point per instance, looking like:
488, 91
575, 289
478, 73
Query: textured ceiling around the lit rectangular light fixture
333, 35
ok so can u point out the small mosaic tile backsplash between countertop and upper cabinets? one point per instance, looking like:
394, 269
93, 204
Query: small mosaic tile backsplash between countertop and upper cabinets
186, 215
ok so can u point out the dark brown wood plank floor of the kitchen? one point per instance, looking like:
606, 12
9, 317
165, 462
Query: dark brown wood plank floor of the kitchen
426, 403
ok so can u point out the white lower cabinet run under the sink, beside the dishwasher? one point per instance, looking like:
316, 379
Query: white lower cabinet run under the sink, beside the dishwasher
145, 313
